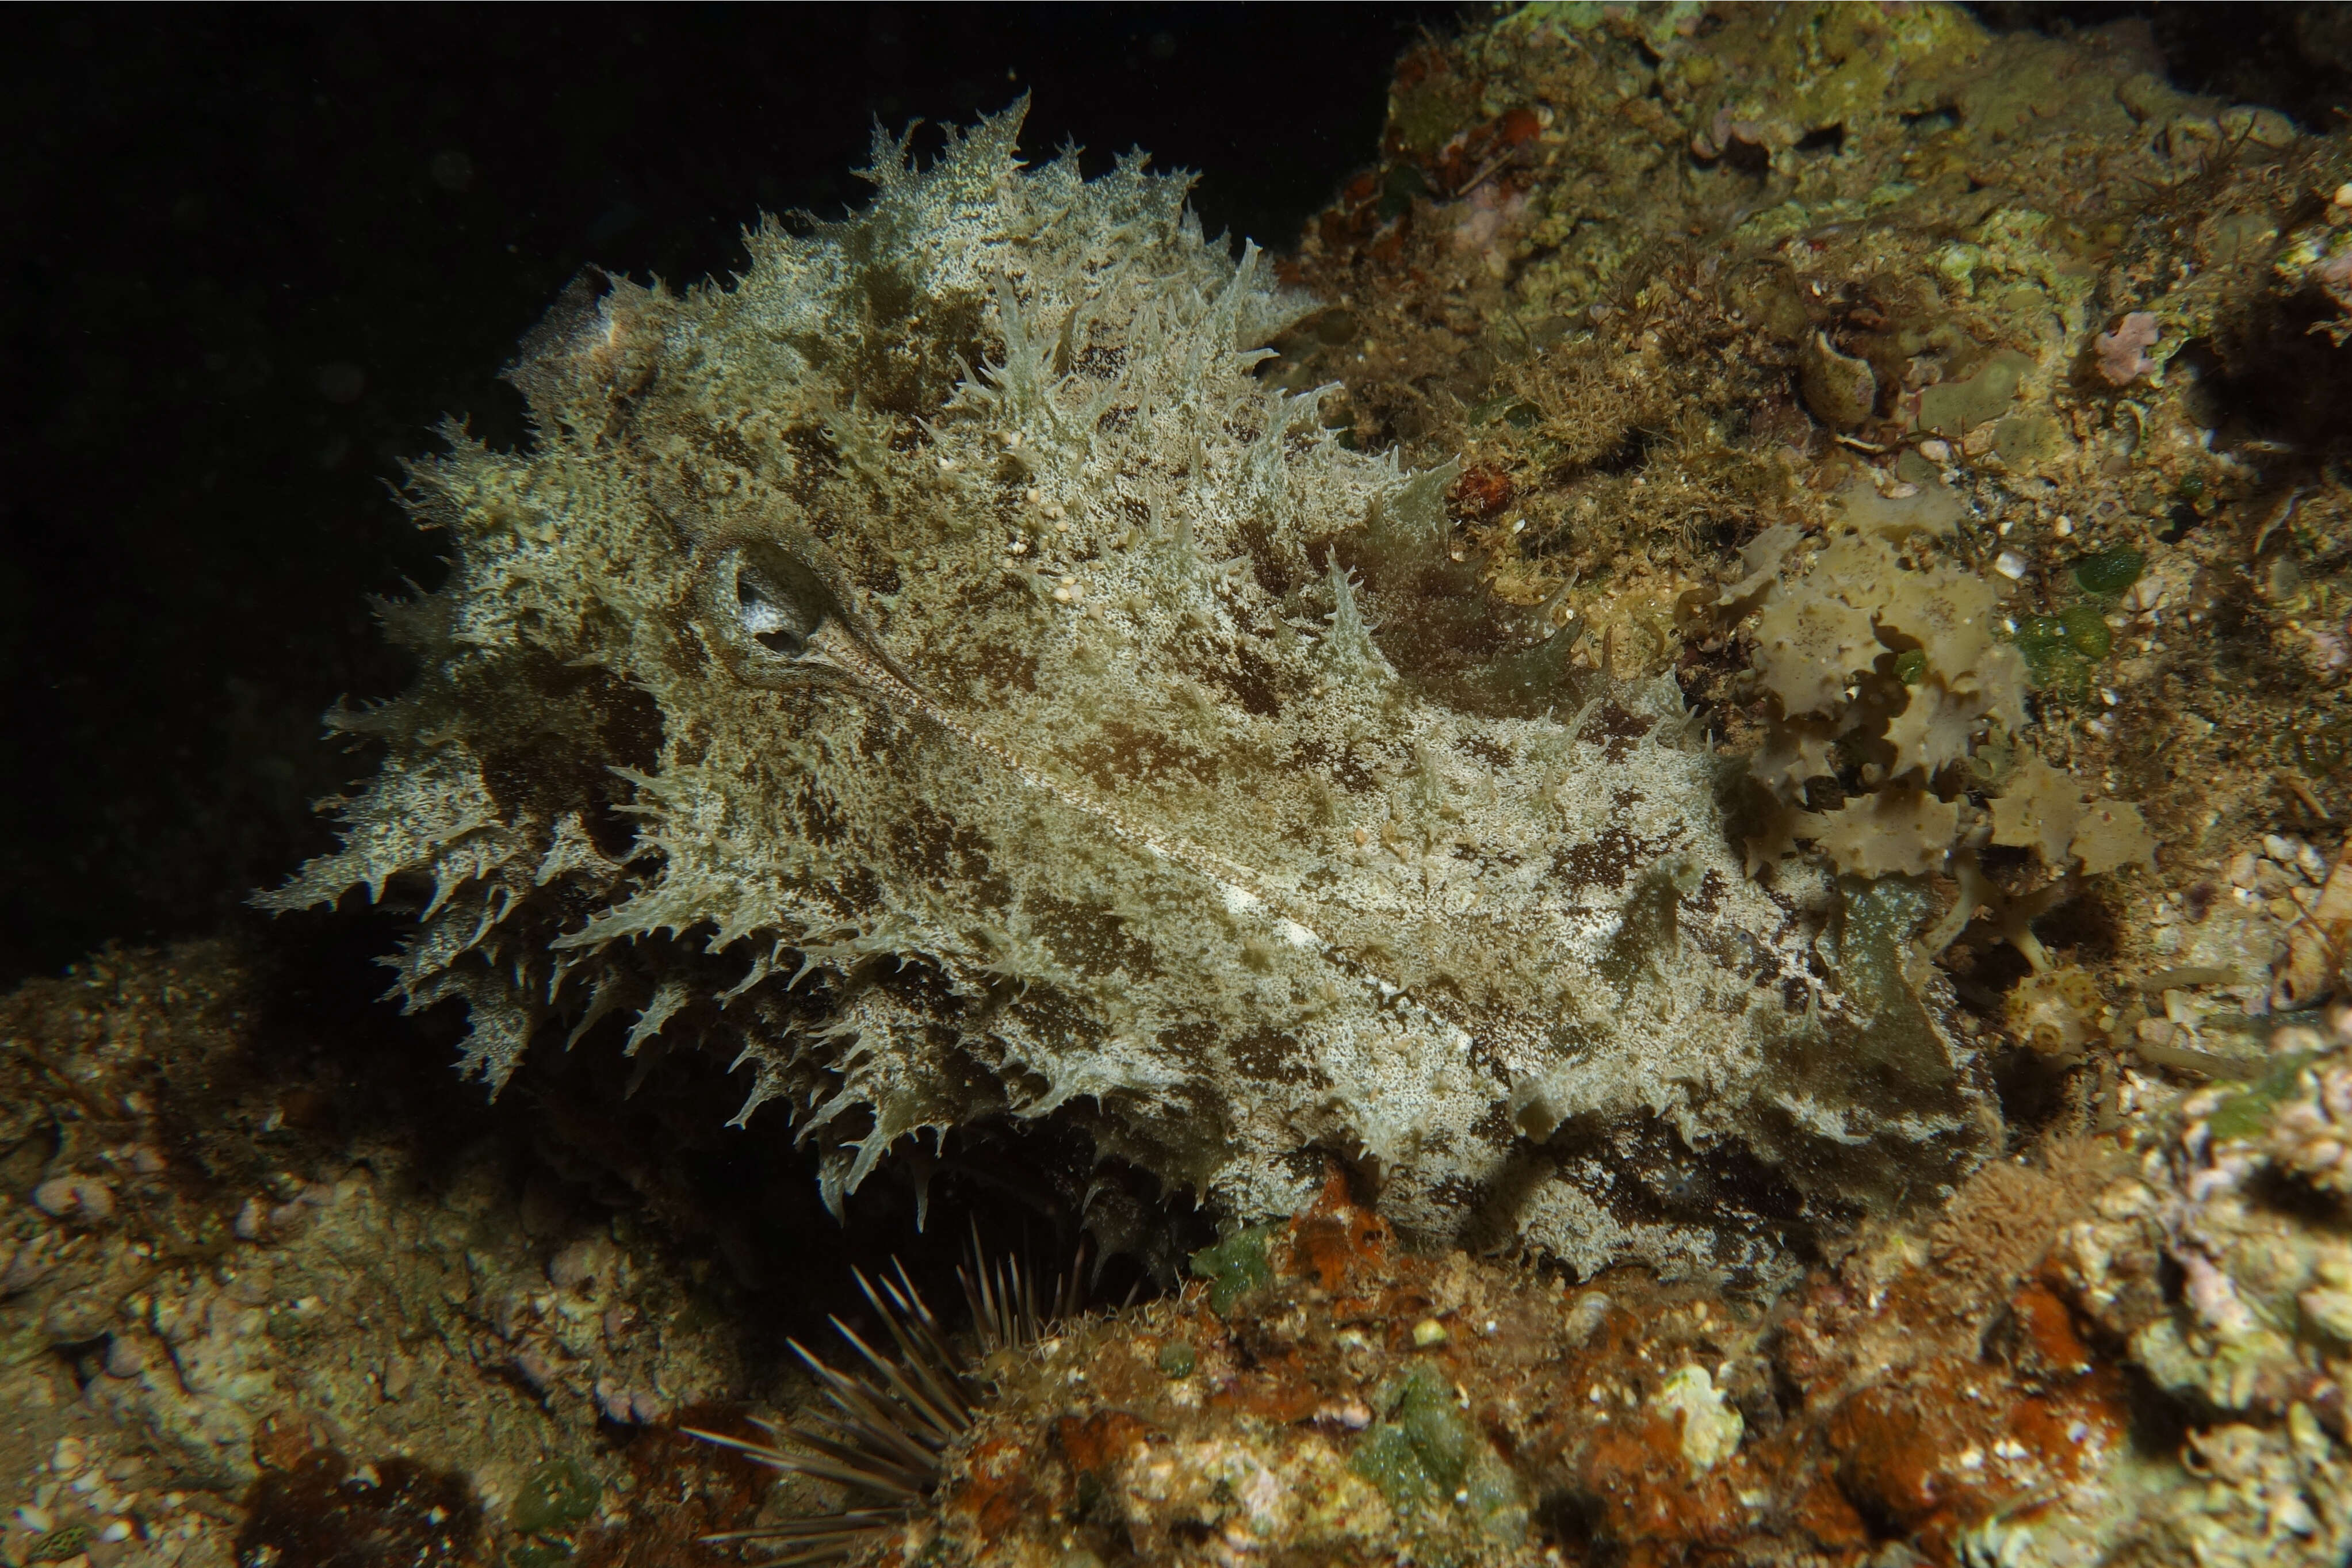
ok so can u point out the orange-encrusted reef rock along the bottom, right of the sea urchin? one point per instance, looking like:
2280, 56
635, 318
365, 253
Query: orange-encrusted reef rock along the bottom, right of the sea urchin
1951, 1393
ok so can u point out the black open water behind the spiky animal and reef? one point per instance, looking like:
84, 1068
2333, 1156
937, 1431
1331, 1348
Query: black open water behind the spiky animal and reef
255, 255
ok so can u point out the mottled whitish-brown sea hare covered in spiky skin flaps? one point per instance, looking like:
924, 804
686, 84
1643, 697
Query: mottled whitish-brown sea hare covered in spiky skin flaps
940, 674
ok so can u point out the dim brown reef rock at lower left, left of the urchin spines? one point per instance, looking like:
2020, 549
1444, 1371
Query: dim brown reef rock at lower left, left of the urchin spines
262, 1306
